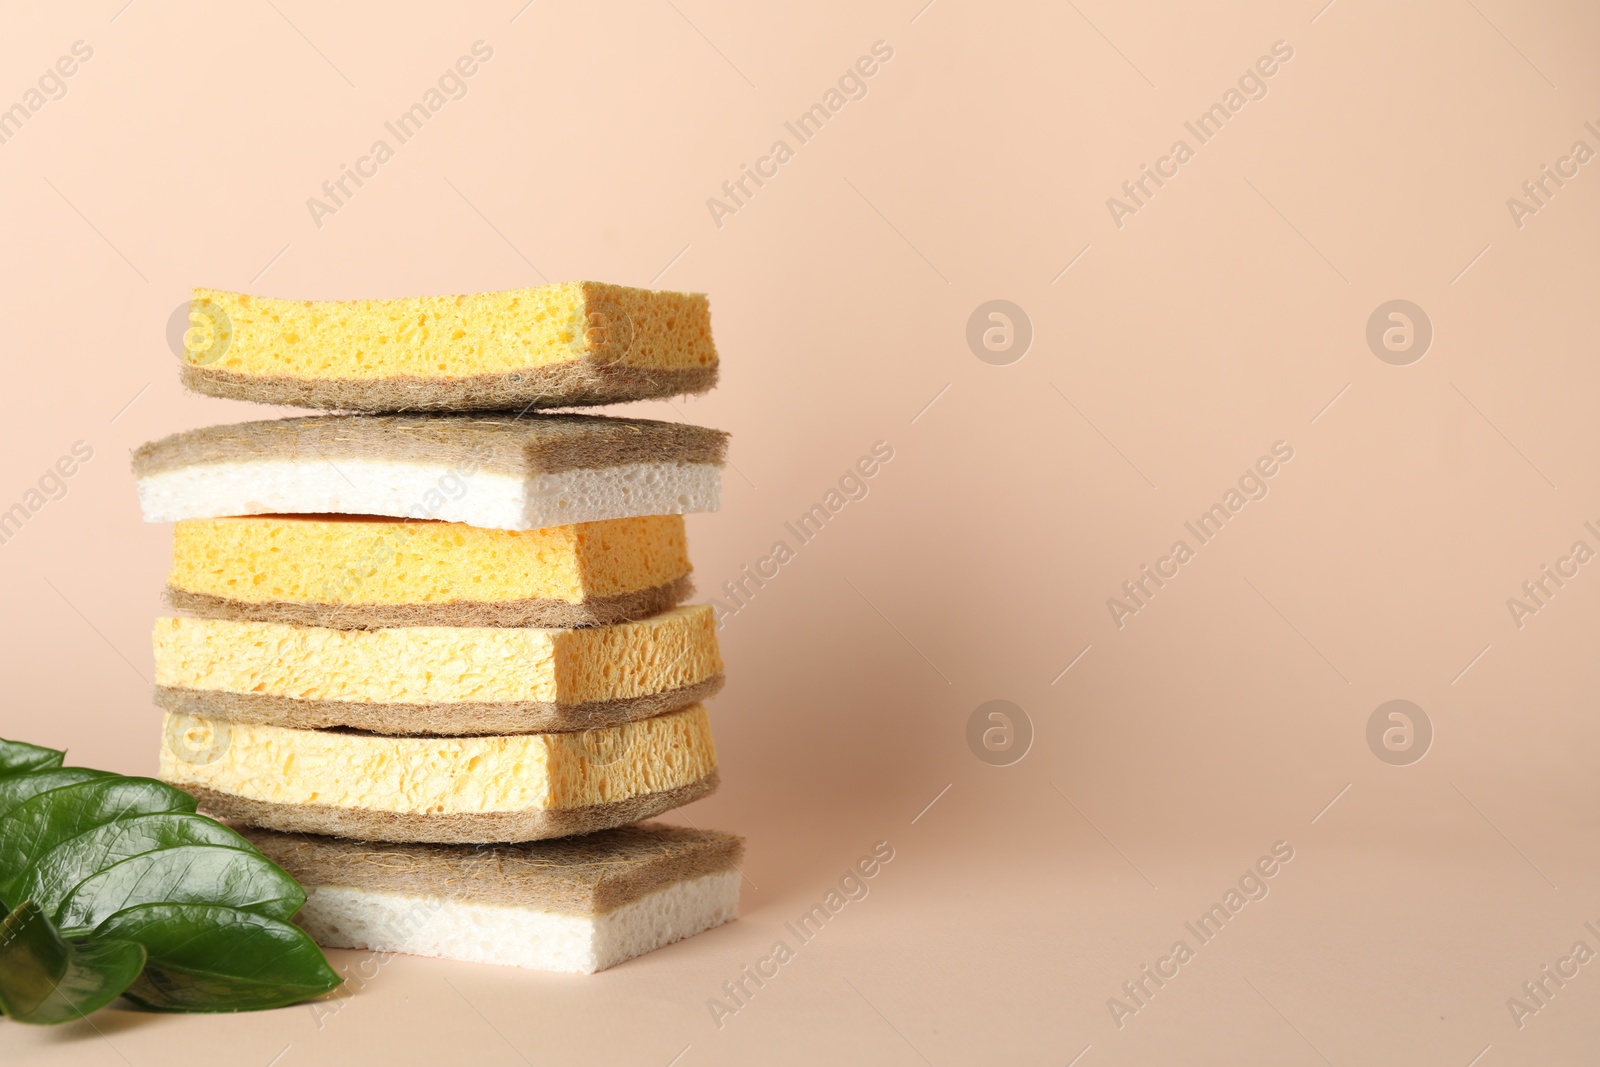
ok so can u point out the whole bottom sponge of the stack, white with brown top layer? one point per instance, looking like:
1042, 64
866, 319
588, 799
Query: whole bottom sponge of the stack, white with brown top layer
574, 905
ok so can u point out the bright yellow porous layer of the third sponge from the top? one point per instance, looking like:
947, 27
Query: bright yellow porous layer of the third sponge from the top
338, 561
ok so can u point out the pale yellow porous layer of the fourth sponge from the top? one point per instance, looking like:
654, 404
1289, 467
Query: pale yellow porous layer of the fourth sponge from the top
436, 665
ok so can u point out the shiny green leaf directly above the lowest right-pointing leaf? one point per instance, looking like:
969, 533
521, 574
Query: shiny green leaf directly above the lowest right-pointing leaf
193, 874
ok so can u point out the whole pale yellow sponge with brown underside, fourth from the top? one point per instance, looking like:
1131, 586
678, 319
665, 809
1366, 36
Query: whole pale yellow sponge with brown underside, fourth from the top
438, 679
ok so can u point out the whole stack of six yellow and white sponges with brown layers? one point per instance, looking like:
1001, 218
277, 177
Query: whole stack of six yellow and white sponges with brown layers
436, 658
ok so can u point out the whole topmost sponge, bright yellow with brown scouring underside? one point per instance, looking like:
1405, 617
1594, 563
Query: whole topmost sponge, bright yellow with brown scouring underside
551, 346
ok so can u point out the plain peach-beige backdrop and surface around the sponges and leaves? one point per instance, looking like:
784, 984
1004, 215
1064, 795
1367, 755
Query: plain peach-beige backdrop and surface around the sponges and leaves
1225, 316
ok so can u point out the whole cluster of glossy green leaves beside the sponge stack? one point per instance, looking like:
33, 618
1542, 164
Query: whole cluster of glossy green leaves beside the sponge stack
175, 911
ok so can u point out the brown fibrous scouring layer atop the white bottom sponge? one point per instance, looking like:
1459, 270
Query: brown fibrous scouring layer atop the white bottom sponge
577, 876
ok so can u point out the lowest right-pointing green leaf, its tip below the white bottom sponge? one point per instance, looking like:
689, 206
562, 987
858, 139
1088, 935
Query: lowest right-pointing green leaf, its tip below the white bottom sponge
204, 957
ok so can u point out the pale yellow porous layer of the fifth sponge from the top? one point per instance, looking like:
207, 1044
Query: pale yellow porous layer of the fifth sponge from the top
444, 777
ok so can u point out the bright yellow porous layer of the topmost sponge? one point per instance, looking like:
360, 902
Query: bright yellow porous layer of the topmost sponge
457, 337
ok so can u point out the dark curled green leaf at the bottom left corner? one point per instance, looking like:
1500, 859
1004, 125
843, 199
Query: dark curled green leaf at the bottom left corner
46, 980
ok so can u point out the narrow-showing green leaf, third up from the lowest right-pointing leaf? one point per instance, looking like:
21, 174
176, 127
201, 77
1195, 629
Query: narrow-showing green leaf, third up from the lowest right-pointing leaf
62, 869
